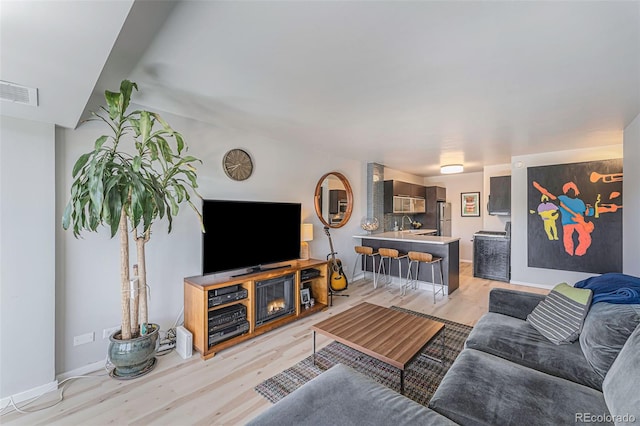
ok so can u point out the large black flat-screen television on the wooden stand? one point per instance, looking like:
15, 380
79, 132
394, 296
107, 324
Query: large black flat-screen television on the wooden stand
249, 235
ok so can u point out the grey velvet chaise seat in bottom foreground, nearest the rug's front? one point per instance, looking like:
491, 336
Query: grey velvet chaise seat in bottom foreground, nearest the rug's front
342, 396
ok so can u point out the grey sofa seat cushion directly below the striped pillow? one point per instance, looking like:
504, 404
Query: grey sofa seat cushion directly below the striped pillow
517, 341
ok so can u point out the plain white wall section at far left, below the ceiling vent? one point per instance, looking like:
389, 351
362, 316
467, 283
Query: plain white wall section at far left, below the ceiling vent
27, 253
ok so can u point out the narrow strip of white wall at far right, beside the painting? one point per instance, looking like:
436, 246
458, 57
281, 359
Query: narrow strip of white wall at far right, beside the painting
631, 196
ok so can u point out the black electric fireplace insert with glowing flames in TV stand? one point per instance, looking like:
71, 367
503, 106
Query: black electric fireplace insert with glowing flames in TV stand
275, 298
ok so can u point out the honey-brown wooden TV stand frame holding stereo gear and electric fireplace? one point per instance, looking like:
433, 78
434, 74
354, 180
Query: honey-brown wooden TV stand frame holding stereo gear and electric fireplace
196, 301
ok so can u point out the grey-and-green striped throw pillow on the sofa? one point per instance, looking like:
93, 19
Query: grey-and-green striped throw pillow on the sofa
559, 317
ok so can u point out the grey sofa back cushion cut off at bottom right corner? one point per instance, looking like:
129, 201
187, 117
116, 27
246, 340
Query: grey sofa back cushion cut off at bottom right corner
620, 386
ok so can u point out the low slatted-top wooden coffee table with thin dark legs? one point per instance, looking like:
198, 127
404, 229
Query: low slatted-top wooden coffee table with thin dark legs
391, 336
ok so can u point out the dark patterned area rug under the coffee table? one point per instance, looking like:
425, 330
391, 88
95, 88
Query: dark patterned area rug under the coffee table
420, 379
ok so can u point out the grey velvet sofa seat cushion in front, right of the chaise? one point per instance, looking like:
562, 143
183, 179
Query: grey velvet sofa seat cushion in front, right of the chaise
482, 389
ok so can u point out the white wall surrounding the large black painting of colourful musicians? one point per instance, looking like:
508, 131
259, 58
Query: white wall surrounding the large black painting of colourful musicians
520, 272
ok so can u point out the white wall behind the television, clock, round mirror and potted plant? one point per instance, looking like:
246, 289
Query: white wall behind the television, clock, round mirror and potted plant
89, 283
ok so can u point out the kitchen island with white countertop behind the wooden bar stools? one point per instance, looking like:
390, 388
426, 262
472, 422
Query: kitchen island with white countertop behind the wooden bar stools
448, 248
